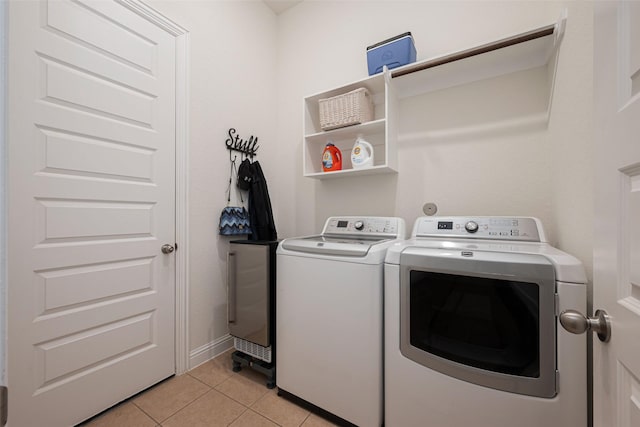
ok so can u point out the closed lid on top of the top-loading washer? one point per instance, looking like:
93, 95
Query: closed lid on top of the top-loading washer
333, 245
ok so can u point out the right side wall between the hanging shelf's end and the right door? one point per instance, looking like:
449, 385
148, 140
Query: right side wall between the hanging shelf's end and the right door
571, 130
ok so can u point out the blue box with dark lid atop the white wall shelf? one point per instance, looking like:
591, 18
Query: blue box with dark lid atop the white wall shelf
393, 52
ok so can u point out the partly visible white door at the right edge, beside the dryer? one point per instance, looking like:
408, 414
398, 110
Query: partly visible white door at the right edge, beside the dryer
617, 227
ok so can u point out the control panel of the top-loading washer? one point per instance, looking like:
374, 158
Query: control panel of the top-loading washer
374, 226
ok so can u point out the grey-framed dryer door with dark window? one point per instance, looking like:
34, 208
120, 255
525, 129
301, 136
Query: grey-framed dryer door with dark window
483, 317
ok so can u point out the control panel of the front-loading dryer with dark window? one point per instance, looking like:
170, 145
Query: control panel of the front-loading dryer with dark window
491, 228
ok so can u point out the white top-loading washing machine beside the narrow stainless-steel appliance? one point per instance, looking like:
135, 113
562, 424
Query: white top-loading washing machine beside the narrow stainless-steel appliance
329, 316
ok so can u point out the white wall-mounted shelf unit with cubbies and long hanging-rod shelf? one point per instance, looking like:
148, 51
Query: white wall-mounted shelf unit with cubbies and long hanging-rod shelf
523, 51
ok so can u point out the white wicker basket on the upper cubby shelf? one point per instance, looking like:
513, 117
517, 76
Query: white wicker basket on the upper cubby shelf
351, 108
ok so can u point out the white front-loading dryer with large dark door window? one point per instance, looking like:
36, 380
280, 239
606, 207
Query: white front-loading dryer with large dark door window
472, 335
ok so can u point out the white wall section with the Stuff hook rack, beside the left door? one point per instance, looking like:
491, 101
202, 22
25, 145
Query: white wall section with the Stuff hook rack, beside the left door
232, 84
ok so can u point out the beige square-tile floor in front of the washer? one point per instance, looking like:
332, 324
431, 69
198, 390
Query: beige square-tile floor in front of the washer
209, 395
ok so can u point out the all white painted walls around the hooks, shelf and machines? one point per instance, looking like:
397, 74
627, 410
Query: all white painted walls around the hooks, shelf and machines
250, 70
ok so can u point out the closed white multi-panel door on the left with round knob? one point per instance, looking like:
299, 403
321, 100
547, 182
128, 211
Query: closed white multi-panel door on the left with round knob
91, 201
